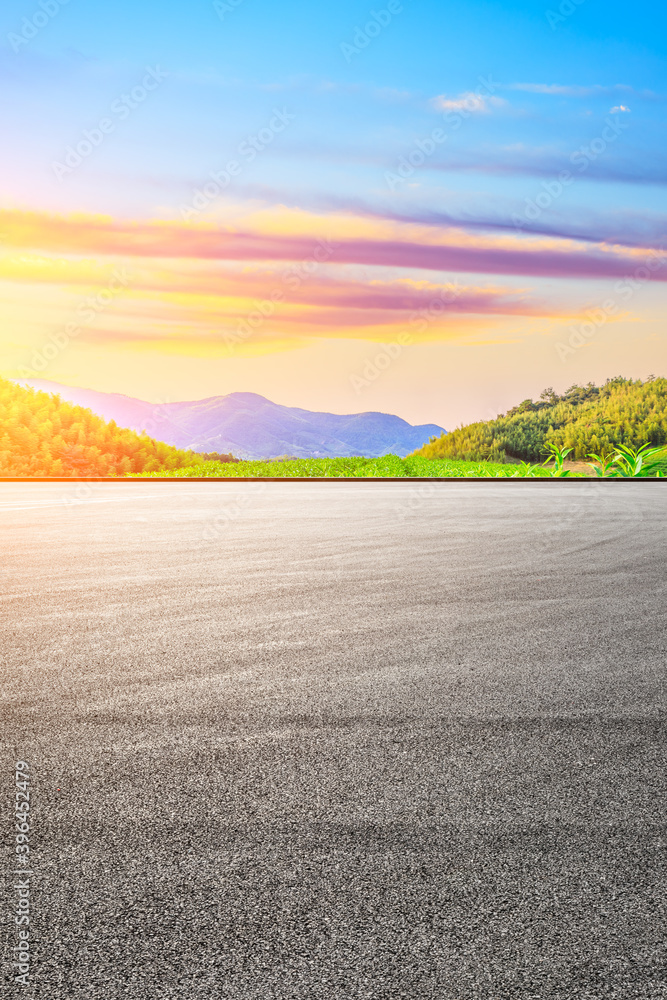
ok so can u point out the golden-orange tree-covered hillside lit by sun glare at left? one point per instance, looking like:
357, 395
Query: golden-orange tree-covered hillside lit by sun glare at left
40, 435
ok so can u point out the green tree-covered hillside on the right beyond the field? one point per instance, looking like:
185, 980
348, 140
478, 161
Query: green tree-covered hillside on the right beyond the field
588, 419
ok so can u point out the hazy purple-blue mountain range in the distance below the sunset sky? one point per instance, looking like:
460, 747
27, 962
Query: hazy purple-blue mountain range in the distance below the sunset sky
250, 426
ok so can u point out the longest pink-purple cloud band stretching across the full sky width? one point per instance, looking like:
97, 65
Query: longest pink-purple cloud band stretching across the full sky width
99, 236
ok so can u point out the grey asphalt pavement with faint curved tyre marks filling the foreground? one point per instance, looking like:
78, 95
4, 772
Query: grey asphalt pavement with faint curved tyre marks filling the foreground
338, 740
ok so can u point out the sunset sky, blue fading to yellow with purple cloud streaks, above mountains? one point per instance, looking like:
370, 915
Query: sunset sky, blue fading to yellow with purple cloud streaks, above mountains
213, 215
